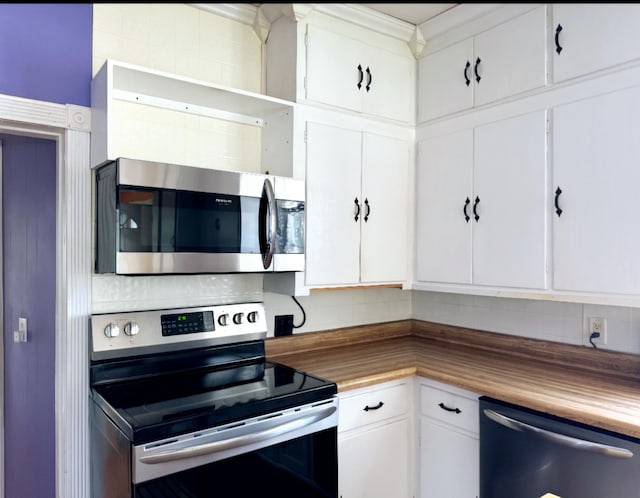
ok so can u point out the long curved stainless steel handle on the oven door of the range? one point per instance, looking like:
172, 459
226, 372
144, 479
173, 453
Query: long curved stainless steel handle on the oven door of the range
261, 433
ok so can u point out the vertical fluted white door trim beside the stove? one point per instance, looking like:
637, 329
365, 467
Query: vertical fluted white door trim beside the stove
73, 300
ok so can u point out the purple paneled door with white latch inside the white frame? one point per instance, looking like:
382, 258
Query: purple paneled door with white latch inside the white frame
29, 264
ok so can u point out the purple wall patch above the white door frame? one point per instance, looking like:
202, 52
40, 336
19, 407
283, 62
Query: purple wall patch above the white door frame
45, 52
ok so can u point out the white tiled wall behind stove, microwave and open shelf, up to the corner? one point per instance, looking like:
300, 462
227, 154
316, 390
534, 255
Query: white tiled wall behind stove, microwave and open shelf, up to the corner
187, 41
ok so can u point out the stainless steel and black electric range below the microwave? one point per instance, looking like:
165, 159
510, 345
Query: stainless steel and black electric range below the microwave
184, 404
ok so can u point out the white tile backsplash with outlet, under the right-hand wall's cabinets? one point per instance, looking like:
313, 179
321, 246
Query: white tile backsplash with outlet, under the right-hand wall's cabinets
552, 321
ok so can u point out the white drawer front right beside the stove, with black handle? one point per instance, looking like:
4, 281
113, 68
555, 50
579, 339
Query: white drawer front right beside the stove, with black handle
368, 407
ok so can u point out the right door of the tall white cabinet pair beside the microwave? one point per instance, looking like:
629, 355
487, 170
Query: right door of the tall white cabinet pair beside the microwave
385, 167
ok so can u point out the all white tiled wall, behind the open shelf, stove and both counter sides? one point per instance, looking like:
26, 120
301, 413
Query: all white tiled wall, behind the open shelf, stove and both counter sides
187, 41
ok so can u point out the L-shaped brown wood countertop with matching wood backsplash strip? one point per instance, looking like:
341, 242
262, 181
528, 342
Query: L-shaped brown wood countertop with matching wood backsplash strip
596, 387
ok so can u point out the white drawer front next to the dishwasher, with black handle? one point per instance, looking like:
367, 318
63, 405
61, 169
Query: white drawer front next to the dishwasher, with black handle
450, 408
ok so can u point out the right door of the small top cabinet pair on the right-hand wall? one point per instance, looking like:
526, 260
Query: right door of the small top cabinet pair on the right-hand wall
512, 57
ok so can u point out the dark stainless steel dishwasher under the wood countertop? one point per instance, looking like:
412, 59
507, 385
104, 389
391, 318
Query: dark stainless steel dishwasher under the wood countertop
529, 454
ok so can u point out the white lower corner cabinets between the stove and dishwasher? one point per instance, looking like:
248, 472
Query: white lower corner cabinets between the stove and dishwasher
388, 449
